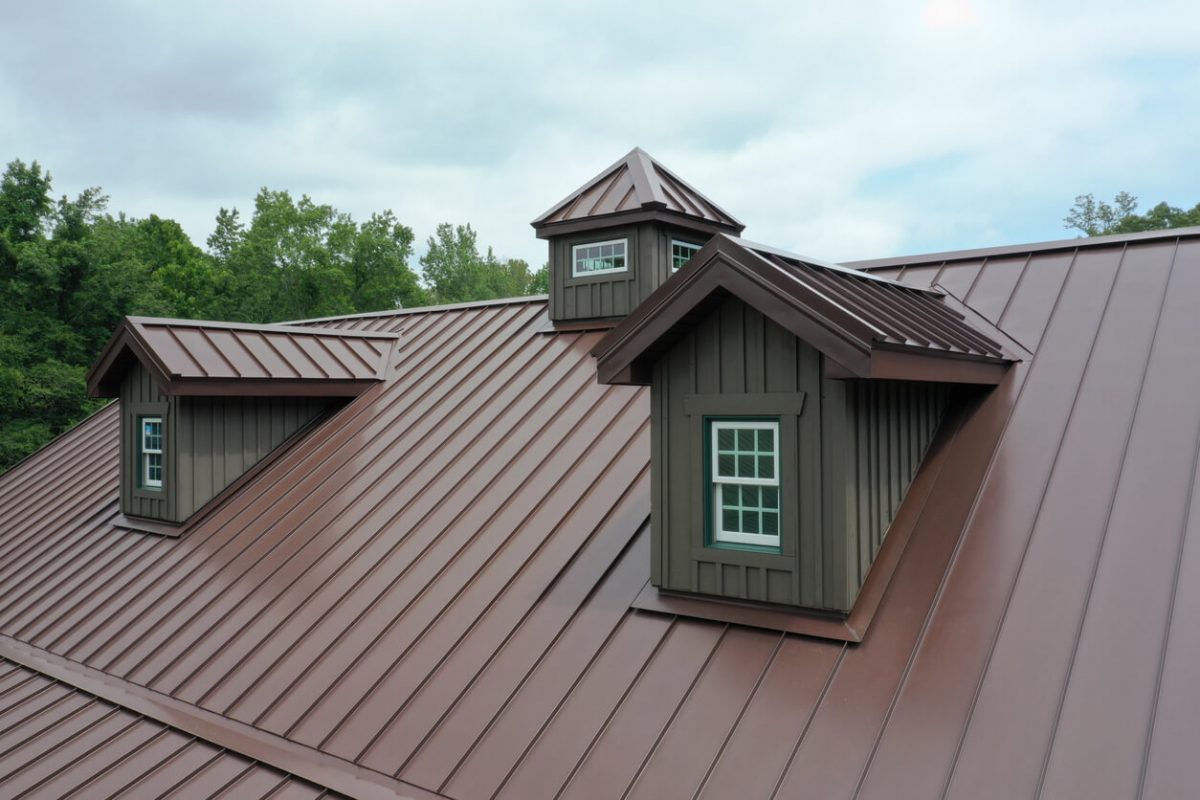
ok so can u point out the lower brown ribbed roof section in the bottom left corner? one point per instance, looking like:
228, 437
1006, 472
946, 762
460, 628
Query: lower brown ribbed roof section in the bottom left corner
58, 742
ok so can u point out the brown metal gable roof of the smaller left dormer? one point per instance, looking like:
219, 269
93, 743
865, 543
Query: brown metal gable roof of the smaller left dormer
206, 358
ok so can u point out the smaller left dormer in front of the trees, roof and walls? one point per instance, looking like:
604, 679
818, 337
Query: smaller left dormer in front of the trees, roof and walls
205, 405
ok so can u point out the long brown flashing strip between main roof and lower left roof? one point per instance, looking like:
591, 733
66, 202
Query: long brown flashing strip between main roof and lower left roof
286, 756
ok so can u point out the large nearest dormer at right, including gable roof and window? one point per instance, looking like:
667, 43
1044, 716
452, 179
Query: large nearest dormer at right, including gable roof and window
794, 404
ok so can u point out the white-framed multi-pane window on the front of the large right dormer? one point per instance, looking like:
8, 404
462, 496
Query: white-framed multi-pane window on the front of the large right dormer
745, 473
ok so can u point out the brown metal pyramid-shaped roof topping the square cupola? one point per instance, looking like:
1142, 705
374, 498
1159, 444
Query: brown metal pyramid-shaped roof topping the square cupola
637, 187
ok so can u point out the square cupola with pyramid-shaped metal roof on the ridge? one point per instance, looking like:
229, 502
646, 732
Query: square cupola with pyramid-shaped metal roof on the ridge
622, 236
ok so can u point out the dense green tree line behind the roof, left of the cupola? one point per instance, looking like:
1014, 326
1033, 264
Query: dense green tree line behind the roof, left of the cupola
70, 270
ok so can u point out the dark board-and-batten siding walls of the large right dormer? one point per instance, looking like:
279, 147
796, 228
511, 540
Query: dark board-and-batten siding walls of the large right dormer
849, 453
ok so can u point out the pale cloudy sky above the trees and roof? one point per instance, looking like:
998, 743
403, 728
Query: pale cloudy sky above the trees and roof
836, 130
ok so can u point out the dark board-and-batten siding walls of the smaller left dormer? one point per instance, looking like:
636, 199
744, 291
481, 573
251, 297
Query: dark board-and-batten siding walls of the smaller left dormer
211, 442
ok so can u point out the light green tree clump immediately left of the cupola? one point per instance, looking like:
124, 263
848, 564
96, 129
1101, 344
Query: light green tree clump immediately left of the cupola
457, 272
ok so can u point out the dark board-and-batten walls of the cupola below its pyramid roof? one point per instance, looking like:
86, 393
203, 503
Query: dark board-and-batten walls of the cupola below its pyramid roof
614, 294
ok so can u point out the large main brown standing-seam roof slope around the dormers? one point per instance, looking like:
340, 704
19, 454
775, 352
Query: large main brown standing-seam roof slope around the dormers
435, 587
